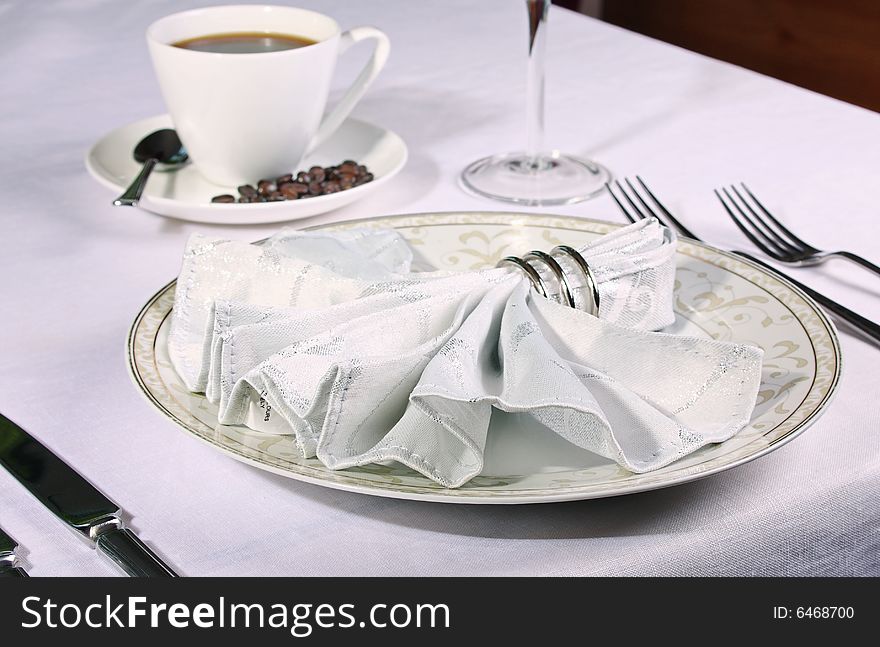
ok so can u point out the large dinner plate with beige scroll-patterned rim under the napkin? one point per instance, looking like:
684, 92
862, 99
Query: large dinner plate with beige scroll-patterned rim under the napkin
717, 295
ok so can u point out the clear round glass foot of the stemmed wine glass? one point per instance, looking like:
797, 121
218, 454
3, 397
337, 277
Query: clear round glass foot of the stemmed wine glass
548, 179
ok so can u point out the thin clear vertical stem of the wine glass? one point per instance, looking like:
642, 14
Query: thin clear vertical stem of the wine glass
535, 80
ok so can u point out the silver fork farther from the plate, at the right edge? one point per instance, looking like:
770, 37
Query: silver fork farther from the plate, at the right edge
772, 237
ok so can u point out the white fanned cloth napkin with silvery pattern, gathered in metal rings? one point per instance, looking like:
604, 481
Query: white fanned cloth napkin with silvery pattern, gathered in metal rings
330, 338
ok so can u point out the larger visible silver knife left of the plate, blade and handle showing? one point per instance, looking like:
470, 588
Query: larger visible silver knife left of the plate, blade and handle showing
75, 501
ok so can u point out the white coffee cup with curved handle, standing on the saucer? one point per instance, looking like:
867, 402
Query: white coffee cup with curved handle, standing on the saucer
243, 117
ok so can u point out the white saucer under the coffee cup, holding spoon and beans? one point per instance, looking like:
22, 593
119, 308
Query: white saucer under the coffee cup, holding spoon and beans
183, 193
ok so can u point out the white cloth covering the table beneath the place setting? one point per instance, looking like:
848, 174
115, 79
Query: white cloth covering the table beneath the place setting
74, 272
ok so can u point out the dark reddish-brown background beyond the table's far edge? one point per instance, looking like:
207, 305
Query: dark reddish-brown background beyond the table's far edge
830, 46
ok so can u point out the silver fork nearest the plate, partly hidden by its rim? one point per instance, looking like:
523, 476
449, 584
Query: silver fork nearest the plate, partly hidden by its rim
633, 197
